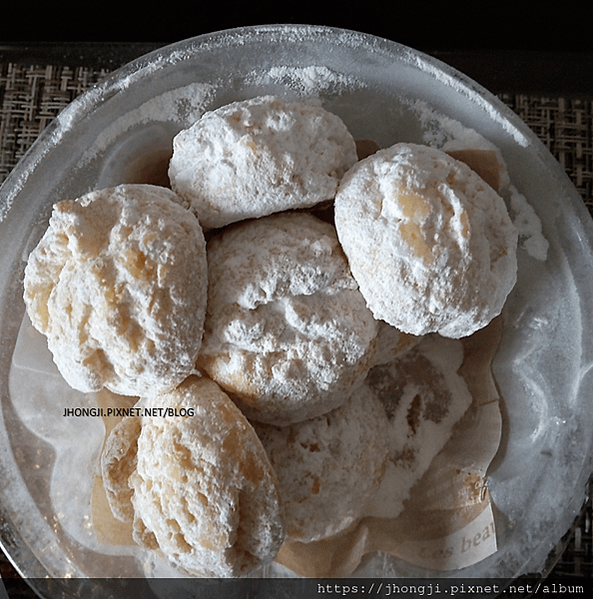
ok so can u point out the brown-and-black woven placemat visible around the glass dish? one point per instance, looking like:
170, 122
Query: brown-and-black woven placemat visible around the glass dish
31, 96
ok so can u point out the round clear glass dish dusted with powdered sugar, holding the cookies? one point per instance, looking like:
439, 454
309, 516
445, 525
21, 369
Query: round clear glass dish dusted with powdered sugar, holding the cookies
385, 92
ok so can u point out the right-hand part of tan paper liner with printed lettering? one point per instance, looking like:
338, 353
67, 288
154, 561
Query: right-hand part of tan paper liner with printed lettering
447, 522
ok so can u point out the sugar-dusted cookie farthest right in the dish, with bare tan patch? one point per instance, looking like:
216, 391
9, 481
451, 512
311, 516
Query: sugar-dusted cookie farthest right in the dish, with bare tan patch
429, 242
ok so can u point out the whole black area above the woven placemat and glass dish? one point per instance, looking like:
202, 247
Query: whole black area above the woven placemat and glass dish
526, 47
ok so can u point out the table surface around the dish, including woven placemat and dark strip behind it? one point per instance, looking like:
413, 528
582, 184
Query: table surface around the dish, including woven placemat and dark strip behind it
38, 80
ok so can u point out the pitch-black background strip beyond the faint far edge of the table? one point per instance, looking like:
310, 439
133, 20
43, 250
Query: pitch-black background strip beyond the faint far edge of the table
420, 24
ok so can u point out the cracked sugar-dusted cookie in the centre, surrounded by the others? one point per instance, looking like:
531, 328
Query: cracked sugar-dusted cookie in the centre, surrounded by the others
287, 332
